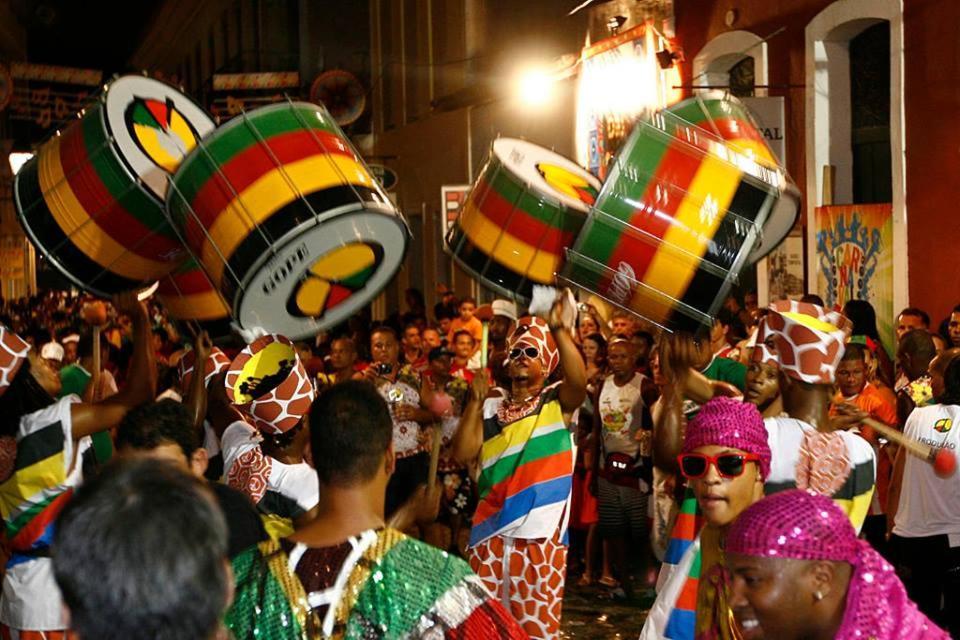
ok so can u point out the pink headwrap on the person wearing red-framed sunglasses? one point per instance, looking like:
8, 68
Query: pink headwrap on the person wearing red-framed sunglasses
726, 422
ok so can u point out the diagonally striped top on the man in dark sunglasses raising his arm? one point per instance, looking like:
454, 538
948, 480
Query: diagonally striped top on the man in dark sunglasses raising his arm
526, 472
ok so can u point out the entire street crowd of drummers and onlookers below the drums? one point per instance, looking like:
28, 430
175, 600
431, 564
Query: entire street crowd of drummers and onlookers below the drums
445, 473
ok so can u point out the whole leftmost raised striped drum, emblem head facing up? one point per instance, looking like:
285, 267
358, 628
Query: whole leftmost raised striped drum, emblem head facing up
91, 199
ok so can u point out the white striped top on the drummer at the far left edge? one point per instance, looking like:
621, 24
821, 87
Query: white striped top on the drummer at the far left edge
43, 480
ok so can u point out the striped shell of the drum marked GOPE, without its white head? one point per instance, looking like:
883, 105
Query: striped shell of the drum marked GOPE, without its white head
233, 195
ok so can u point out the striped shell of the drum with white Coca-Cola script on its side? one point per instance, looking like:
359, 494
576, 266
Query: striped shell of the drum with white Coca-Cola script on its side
659, 184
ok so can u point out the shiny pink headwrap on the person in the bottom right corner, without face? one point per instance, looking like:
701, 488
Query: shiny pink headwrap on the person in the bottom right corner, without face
802, 525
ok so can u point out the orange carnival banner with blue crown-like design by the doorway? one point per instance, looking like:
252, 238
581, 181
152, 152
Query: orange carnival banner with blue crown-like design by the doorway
855, 259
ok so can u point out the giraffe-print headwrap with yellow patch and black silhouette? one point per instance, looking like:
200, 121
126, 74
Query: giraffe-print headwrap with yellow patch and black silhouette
269, 384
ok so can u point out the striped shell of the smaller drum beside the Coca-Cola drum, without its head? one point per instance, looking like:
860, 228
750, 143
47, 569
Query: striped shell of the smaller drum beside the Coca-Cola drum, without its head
509, 236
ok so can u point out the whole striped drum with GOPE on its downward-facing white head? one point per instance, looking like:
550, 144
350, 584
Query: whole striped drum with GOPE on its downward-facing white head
286, 220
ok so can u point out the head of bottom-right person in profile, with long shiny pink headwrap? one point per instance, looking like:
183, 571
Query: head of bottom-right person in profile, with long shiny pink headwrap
798, 564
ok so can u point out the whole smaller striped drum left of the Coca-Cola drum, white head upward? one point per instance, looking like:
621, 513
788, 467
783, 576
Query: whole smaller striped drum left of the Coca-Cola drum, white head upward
523, 211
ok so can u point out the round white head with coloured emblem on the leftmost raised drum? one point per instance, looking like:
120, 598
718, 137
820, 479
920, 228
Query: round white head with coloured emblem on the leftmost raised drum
154, 127
